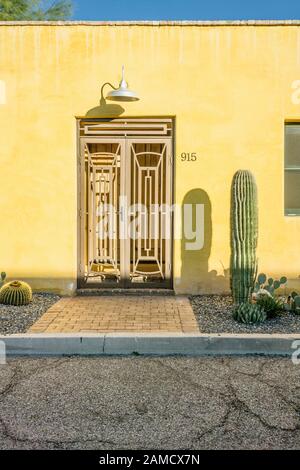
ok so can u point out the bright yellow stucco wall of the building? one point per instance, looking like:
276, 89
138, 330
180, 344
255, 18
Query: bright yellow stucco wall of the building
230, 89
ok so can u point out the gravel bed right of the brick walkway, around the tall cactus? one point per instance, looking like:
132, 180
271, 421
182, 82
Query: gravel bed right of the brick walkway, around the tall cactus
214, 314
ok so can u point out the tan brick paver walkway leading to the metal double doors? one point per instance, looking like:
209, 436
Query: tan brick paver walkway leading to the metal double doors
107, 314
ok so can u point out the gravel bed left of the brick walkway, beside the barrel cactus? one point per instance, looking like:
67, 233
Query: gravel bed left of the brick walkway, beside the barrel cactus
19, 319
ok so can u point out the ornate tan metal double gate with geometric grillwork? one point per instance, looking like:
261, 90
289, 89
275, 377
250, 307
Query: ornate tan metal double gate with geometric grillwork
125, 202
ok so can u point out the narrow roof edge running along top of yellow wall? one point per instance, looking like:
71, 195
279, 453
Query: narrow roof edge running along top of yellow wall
155, 23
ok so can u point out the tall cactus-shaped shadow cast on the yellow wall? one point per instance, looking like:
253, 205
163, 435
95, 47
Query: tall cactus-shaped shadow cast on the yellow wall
195, 276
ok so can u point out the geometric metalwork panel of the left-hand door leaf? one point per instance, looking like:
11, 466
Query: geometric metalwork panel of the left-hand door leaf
102, 170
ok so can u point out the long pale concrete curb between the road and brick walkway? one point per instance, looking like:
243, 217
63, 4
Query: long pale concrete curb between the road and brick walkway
193, 344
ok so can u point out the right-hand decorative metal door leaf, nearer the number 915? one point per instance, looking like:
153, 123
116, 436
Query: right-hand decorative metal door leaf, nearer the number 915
148, 188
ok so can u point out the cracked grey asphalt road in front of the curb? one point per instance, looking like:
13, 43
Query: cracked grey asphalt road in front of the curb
143, 403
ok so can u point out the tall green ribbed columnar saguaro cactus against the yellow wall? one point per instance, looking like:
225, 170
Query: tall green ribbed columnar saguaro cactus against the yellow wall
244, 233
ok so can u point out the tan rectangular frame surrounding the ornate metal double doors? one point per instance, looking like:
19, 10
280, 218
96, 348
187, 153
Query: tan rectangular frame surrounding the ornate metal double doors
81, 283
